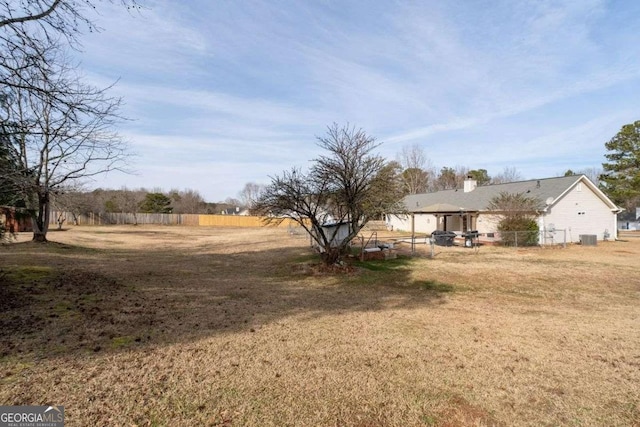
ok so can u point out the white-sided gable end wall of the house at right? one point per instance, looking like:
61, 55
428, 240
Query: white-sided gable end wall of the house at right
581, 211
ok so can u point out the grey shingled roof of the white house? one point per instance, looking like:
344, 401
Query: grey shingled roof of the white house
547, 190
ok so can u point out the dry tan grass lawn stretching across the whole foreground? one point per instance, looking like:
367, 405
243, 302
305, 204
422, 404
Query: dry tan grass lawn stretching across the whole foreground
239, 327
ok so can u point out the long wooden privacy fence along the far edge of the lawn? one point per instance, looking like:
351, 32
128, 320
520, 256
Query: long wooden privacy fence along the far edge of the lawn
164, 219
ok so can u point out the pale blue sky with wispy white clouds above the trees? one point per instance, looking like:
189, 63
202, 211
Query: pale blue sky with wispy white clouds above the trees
222, 93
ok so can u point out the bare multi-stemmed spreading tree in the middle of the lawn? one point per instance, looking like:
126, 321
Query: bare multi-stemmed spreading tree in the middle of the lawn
347, 186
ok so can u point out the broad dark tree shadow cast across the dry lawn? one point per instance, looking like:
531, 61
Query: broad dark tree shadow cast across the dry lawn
61, 304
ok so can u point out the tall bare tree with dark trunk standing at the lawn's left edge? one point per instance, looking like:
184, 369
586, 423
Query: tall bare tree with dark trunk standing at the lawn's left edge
59, 142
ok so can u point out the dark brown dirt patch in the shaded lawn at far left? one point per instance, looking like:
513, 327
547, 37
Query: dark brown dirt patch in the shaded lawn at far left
68, 311
